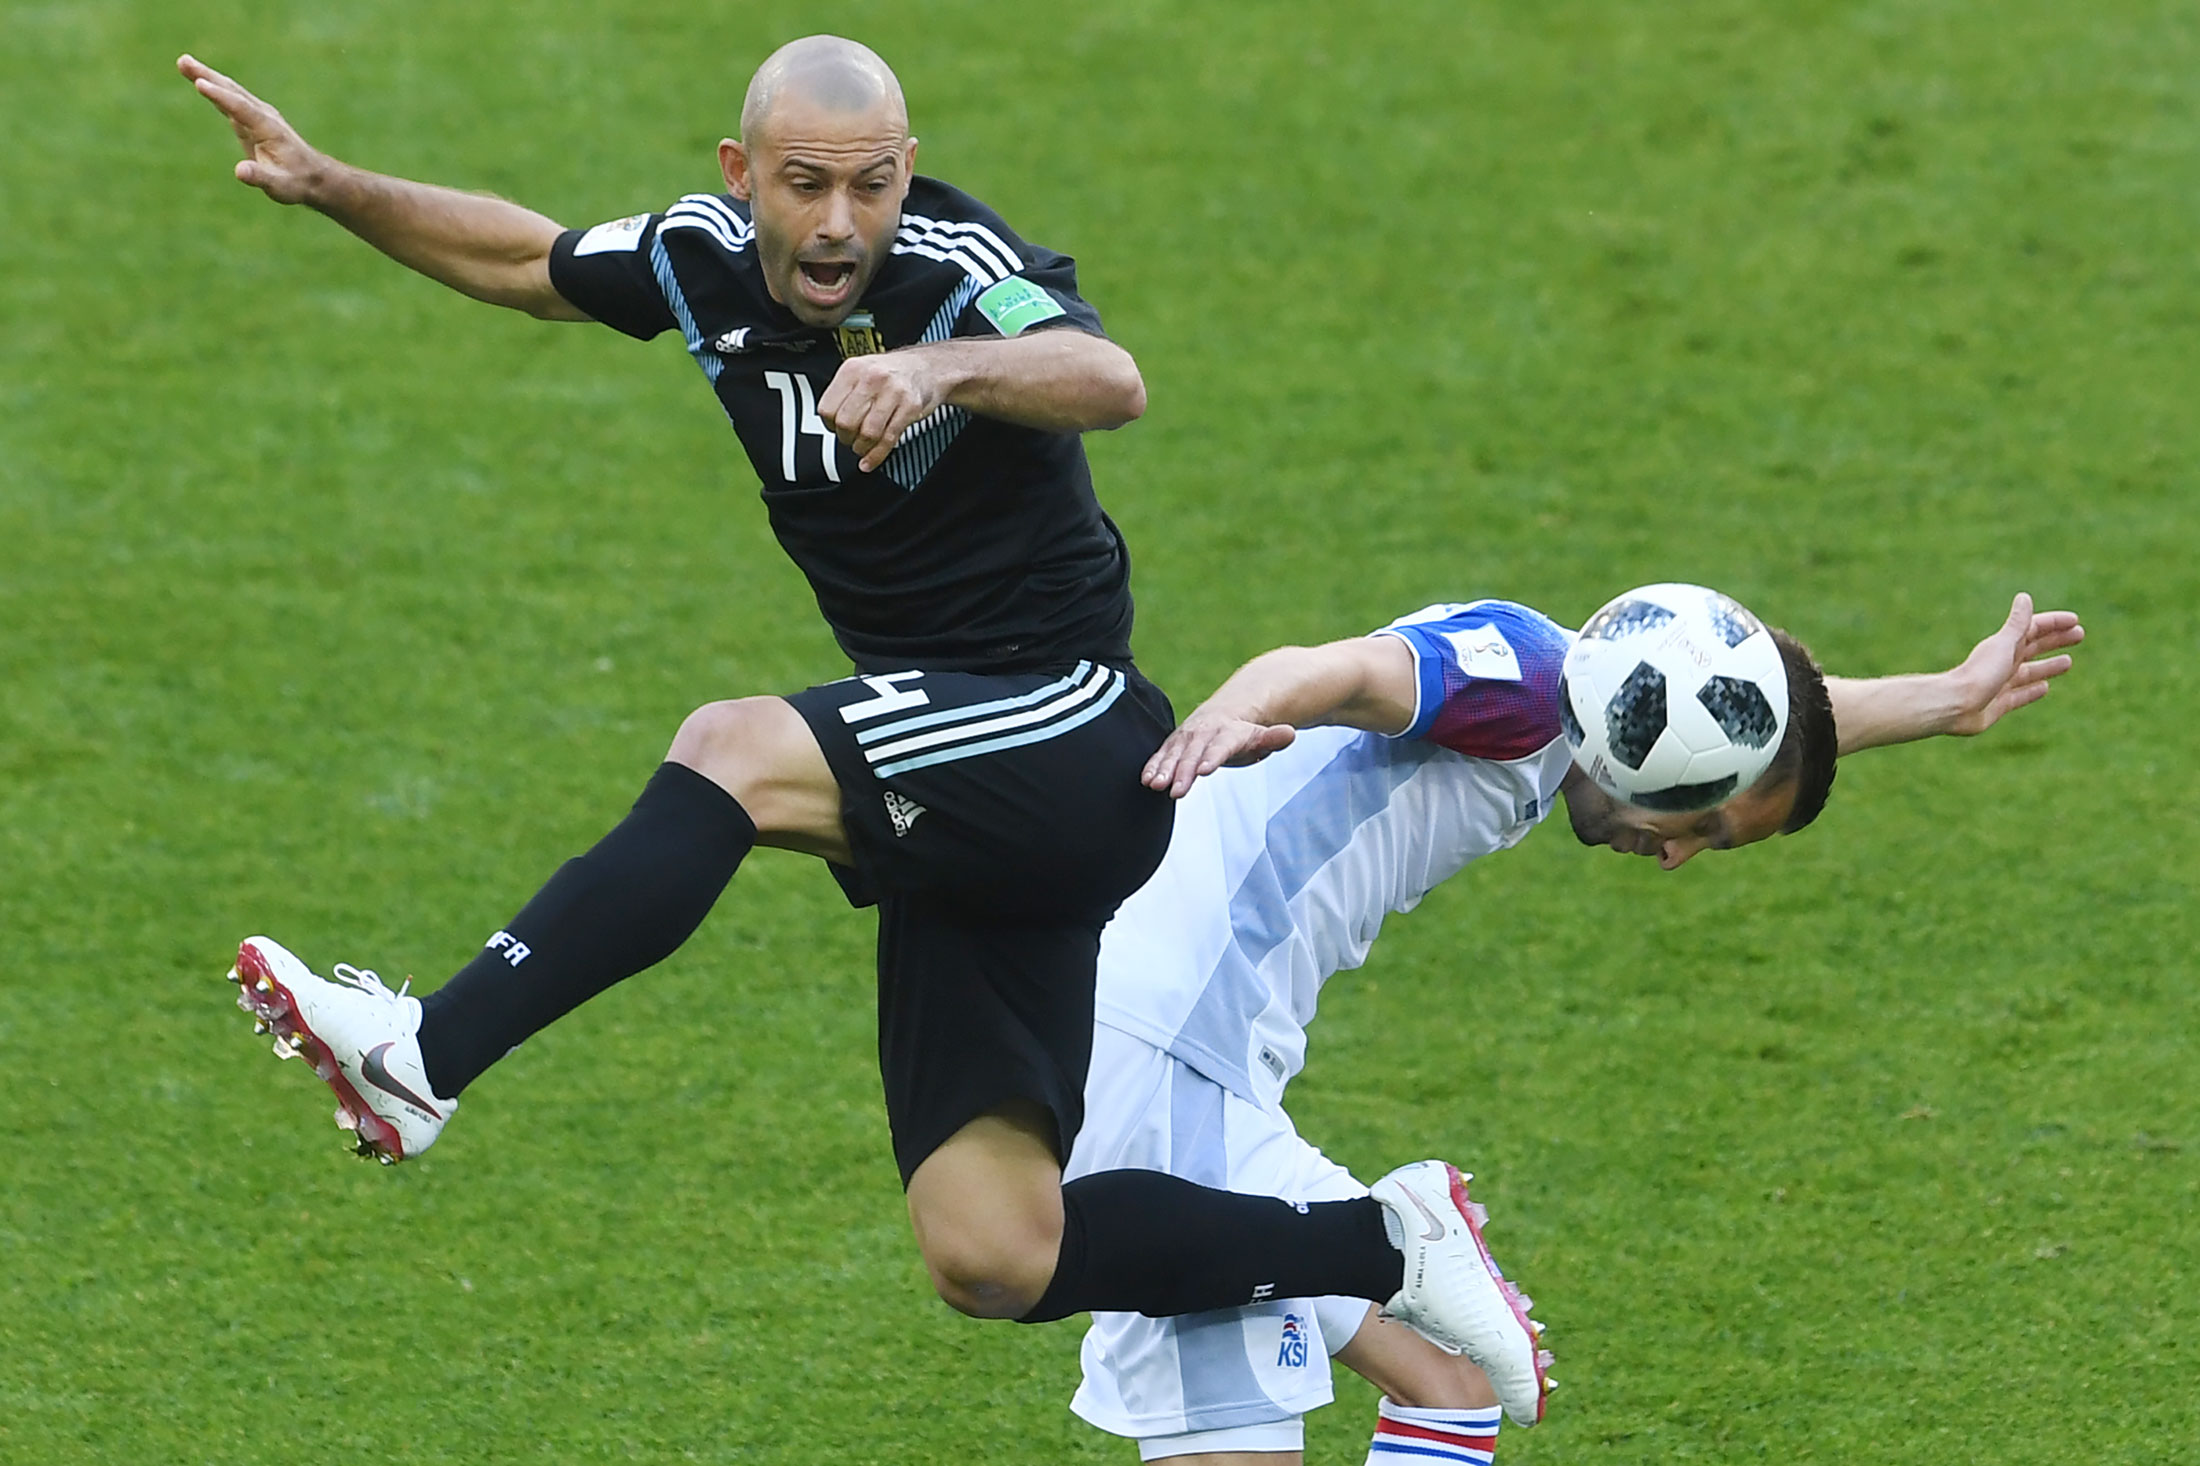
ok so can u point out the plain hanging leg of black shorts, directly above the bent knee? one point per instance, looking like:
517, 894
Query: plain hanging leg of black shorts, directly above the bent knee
978, 1014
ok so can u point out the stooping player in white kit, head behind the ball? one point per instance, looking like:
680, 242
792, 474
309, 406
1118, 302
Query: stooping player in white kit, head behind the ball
1442, 747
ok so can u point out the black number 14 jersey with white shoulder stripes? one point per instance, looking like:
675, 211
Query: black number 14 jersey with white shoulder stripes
978, 545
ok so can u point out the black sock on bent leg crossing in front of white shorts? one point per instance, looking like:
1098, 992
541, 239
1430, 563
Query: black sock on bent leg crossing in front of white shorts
1156, 1245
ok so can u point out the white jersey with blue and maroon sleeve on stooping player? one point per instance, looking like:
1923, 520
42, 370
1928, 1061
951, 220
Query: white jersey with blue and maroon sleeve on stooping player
1281, 875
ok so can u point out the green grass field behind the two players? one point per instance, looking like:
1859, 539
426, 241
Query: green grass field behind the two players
342, 609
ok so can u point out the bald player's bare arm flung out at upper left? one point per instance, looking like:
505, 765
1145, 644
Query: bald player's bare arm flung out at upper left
478, 245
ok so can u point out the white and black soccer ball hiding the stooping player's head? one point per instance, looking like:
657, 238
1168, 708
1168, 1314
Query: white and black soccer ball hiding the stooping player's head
1673, 699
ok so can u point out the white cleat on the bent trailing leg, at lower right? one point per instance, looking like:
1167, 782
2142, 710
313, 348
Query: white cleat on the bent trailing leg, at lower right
1455, 1293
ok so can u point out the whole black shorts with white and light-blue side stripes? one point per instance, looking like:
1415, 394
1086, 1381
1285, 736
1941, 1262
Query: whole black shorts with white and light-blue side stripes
998, 822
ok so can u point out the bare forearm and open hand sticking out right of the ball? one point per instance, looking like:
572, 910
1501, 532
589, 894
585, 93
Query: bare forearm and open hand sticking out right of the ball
2003, 675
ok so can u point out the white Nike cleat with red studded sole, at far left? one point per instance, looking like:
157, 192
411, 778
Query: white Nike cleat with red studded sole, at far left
360, 1038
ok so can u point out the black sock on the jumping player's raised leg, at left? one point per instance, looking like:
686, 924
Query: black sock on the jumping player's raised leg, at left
624, 906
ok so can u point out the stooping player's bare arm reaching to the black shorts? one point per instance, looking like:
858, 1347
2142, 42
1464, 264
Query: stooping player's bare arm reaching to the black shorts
1358, 683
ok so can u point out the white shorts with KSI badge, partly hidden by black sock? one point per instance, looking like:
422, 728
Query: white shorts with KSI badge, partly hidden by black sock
1224, 1381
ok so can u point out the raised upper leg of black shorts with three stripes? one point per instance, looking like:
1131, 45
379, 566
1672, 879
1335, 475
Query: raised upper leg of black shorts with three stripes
1011, 794
